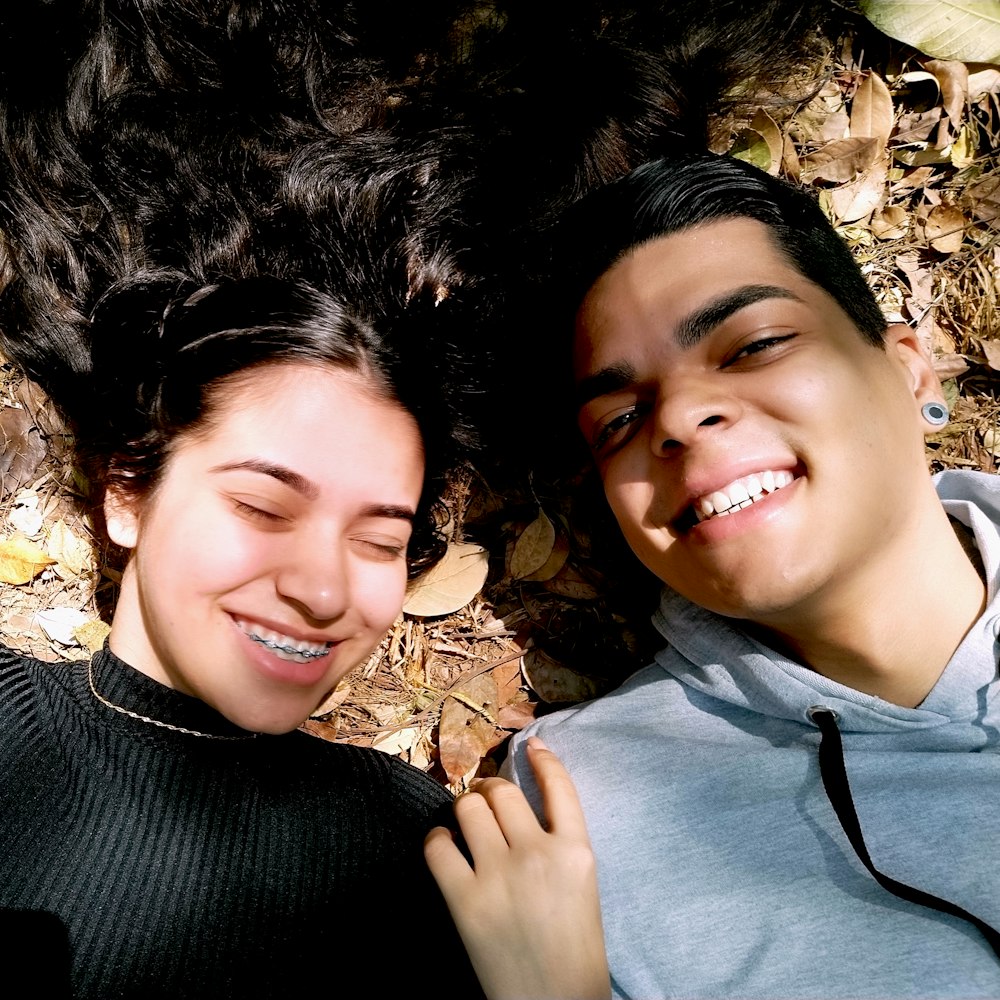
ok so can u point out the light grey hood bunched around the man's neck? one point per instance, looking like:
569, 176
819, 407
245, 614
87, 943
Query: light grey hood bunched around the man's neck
719, 660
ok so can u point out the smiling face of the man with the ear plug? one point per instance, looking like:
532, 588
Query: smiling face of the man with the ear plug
757, 452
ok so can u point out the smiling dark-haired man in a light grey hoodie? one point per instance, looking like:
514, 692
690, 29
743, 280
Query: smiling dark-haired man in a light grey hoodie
759, 434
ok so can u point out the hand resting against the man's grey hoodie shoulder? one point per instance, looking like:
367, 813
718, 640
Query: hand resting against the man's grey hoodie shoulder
527, 908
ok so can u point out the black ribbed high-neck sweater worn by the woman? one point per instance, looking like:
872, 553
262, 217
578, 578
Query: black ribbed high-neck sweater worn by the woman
140, 862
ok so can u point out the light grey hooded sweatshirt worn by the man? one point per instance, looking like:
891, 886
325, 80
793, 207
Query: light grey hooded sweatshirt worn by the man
724, 871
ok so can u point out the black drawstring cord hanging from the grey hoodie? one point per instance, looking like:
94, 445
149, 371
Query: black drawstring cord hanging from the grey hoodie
838, 791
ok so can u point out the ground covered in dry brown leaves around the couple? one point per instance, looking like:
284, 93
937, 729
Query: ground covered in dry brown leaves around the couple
903, 149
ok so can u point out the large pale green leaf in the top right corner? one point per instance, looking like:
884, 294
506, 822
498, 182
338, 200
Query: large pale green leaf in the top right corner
966, 30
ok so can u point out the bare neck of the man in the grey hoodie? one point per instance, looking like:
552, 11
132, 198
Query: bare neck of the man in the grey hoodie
894, 632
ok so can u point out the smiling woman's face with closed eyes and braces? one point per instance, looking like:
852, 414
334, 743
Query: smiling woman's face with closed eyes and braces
271, 557
